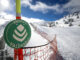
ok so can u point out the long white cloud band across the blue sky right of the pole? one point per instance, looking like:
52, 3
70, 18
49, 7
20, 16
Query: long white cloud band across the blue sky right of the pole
42, 7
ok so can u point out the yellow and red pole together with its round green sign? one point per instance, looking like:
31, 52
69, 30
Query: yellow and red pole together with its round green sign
17, 33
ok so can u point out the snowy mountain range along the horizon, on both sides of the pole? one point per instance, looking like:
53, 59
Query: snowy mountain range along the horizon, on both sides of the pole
71, 20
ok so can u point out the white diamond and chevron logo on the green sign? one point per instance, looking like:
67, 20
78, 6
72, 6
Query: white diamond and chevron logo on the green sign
23, 34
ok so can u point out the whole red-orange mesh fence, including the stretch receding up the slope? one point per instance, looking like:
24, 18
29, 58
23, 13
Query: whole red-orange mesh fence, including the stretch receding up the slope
43, 52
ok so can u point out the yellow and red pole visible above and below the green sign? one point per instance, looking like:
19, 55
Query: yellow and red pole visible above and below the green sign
18, 52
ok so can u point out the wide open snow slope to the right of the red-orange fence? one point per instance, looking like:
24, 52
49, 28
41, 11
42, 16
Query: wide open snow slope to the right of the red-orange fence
68, 40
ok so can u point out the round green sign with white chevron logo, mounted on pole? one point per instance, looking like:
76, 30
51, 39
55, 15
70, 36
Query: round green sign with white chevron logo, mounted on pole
17, 33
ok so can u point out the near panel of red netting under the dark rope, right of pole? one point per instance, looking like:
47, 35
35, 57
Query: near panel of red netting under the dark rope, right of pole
40, 53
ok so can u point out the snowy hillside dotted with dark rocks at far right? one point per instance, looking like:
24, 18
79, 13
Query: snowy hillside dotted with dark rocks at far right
72, 20
